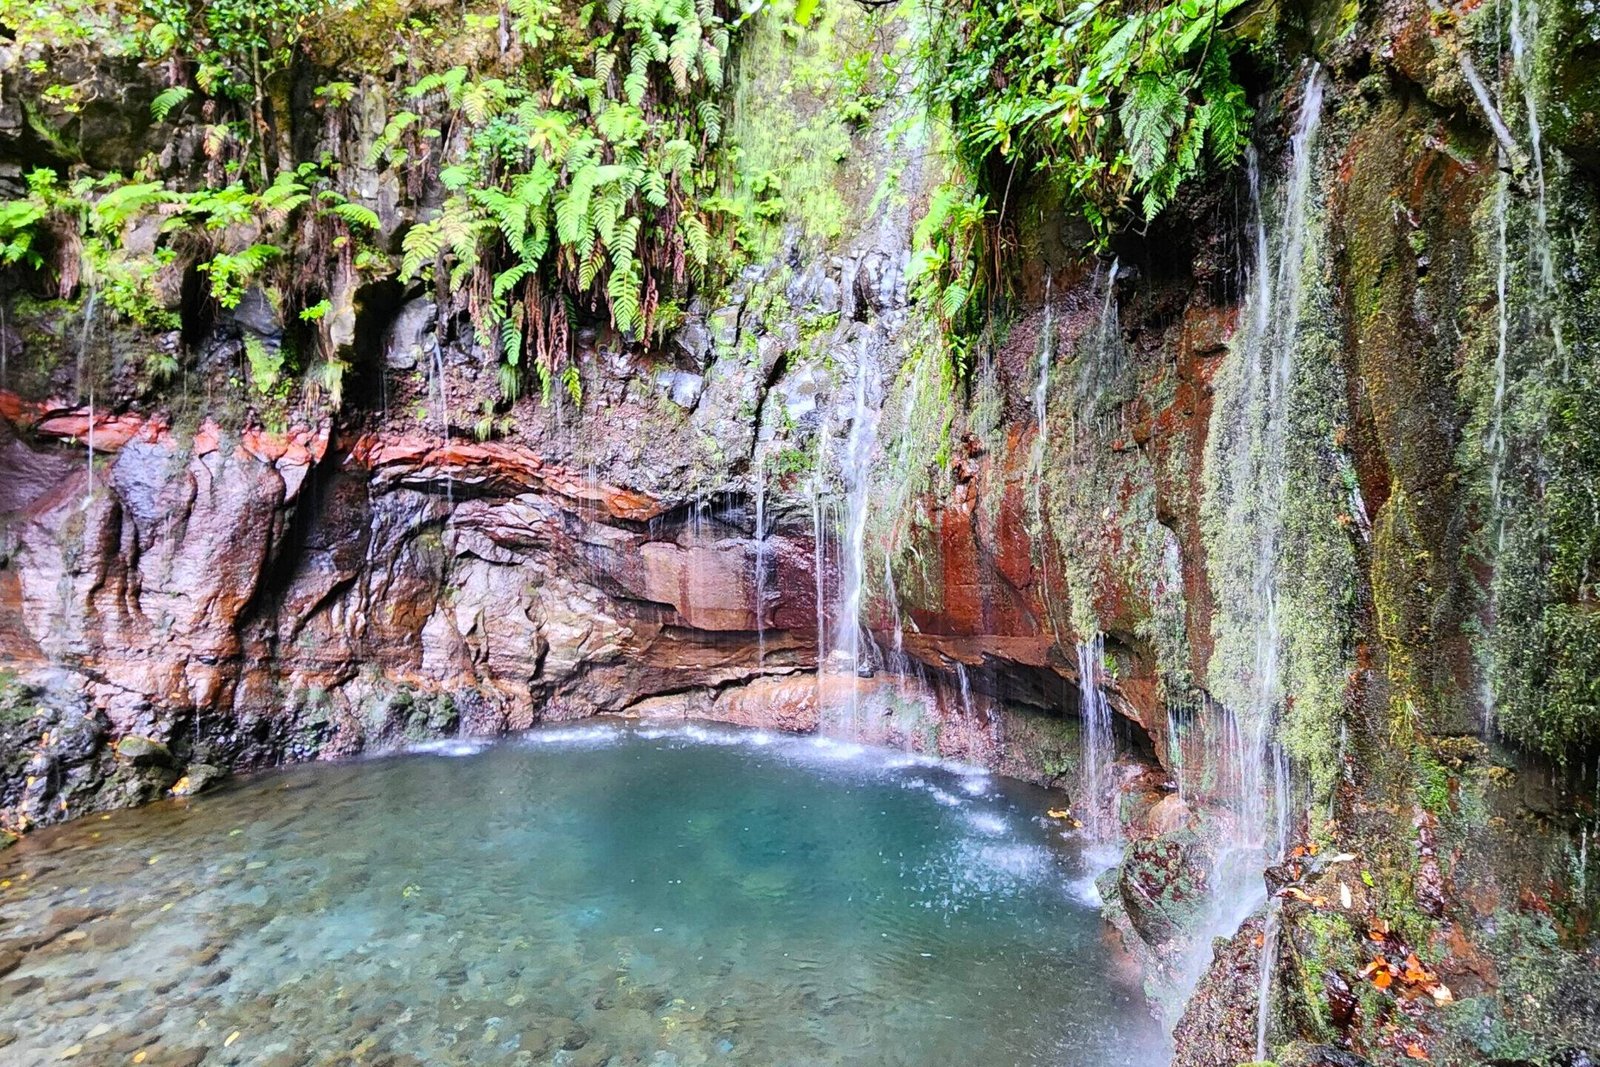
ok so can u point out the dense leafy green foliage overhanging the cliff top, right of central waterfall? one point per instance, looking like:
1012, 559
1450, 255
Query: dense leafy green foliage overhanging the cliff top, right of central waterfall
1113, 105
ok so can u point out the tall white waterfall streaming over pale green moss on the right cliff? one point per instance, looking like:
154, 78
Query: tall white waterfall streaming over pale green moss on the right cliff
1250, 465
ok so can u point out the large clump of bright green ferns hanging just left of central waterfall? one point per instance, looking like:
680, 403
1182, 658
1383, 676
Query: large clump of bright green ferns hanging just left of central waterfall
586, 178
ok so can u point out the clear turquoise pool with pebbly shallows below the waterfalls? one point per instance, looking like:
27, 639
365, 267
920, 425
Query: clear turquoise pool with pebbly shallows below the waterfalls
574, 897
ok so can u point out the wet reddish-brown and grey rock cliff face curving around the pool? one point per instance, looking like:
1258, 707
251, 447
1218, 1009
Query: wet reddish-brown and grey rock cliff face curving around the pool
191, 581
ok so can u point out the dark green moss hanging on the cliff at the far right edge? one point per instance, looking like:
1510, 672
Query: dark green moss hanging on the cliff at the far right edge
1540, 642
